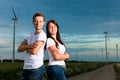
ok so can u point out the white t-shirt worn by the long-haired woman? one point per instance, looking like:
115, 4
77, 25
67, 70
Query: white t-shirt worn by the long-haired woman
51, 42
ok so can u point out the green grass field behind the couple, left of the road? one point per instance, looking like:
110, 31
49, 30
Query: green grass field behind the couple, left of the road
12, 71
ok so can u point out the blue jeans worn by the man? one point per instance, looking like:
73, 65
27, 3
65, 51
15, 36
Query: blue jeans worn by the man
33, 74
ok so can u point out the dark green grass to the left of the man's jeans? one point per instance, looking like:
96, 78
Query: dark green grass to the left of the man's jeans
10, 71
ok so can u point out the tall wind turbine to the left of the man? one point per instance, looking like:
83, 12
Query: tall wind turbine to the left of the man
14, 19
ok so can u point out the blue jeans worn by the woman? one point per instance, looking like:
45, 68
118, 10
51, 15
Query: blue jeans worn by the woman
55, 72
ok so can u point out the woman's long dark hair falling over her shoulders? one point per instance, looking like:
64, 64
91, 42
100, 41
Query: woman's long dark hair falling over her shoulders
57, 35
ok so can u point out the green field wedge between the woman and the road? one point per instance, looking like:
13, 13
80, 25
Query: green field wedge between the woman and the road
74, 68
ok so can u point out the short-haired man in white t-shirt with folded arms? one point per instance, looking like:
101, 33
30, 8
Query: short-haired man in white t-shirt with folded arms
34, 44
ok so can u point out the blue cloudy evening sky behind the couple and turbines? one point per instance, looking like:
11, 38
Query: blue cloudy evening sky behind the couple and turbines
82, 25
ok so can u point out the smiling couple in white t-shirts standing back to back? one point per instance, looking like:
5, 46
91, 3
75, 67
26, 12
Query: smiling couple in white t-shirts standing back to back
34, 45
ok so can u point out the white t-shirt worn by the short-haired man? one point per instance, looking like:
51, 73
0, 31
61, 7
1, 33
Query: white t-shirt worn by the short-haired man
35, 61
